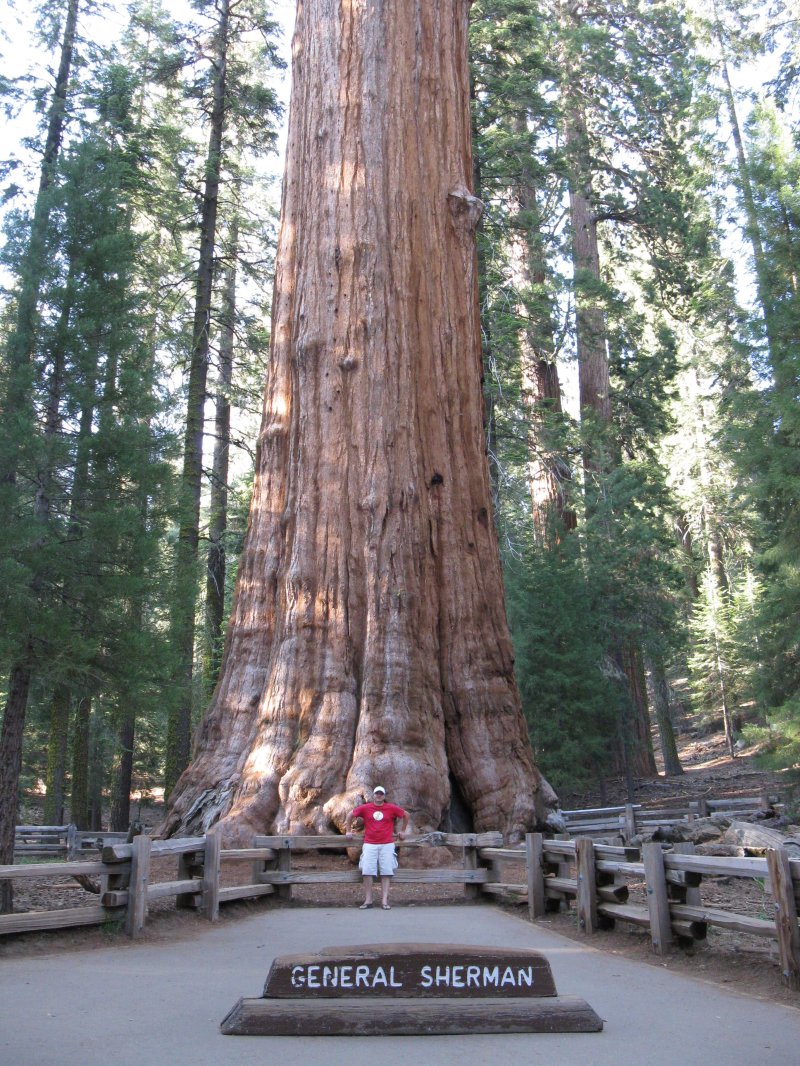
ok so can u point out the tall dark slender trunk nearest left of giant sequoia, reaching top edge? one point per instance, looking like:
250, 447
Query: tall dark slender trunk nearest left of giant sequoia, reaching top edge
186, 595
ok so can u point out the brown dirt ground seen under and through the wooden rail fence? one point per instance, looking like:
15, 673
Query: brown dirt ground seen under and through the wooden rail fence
746, 963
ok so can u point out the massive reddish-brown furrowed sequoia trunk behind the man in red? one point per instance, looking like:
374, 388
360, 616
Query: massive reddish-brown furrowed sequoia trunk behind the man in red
369, 640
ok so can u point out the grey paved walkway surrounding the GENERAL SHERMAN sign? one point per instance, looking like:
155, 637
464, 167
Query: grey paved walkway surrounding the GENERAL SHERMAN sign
161, 1005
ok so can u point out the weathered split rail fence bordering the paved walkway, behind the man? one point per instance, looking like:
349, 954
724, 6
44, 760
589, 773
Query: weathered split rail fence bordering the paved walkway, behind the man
554, 874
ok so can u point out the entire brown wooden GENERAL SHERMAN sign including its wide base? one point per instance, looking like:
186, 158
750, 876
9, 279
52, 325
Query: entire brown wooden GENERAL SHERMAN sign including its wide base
396, 990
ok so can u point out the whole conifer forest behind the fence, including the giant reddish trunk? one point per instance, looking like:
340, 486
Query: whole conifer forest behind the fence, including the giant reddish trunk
631, 227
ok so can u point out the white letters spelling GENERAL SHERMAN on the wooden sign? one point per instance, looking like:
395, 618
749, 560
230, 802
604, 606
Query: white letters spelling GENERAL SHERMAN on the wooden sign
443, 976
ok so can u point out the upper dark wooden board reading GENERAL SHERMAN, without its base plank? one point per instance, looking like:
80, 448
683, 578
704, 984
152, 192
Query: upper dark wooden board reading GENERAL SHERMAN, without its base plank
411, 971
